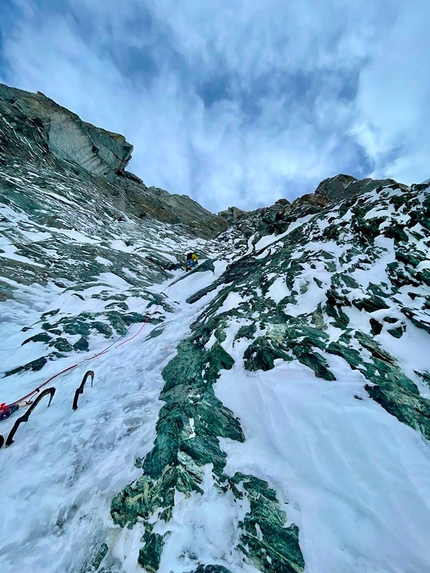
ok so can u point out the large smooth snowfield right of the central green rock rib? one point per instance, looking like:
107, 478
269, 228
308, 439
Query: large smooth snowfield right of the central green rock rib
356, 477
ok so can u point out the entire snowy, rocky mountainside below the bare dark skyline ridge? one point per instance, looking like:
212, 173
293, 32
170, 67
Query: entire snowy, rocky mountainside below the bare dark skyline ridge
271, 414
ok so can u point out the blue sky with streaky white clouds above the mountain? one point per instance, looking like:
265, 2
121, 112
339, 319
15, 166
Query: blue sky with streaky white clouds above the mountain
236, 102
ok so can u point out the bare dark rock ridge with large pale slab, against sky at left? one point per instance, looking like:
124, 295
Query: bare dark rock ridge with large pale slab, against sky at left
37, 133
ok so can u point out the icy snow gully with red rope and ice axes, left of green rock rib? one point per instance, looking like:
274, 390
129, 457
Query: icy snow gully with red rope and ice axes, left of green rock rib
66, 466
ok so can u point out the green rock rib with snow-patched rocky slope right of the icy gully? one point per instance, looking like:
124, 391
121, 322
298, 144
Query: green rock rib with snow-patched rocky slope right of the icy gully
316, 342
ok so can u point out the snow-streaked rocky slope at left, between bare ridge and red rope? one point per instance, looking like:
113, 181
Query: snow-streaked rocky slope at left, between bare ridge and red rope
74, 268
